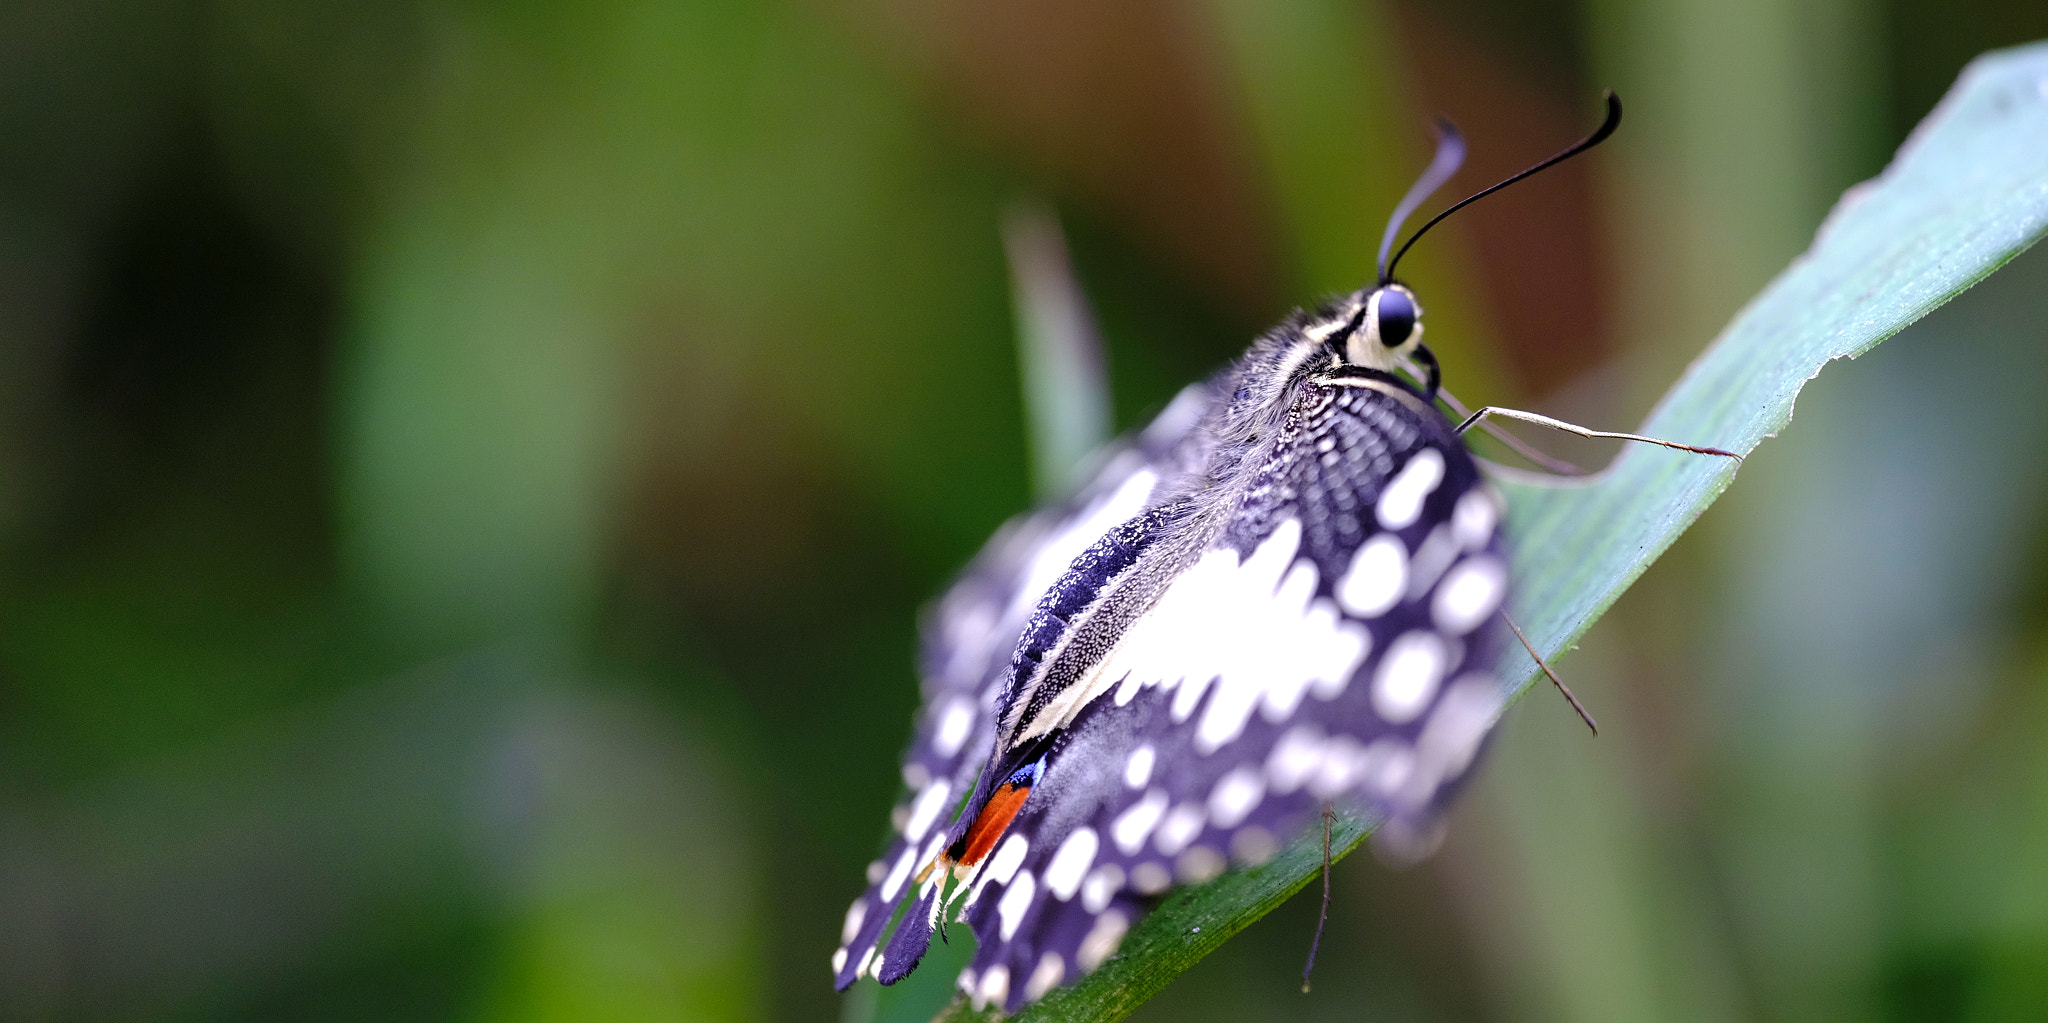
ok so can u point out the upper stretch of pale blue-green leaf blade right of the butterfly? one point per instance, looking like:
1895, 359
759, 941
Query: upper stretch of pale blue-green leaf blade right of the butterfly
1965, 195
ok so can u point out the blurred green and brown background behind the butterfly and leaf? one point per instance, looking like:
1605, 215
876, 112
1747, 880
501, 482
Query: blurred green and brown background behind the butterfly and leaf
470, 472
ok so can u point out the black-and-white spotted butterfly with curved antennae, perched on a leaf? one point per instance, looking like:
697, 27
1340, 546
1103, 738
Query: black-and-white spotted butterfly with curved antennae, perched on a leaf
1283, 592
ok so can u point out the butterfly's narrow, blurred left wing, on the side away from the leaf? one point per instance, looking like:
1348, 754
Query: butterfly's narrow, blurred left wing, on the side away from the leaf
972, 633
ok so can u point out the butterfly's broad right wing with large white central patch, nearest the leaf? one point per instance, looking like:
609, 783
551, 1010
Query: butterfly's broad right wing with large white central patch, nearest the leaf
1334, 639
